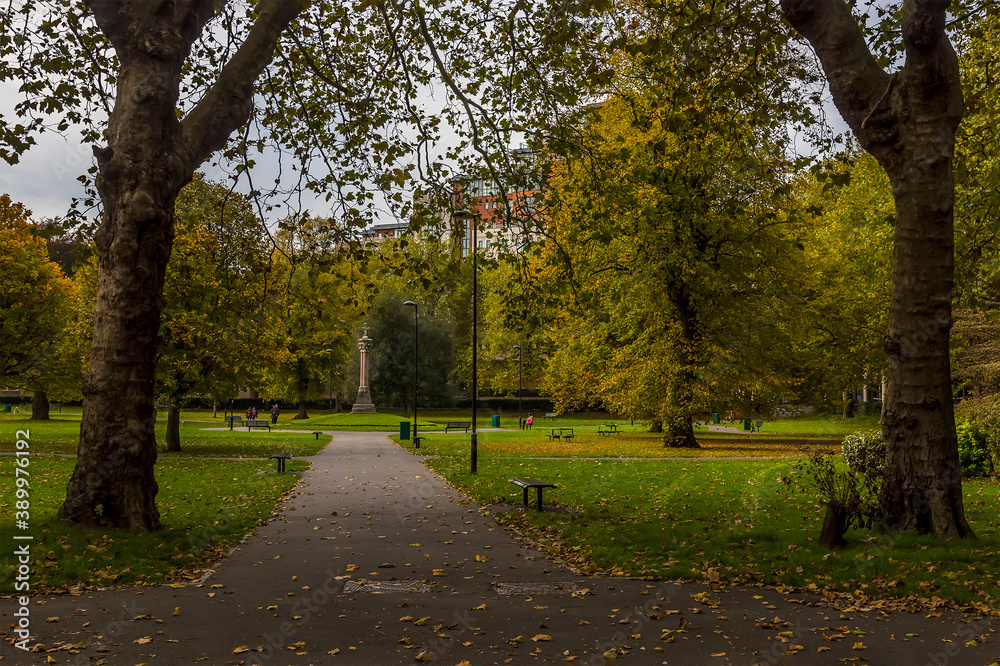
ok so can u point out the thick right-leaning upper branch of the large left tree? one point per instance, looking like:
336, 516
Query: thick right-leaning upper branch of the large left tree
228, 104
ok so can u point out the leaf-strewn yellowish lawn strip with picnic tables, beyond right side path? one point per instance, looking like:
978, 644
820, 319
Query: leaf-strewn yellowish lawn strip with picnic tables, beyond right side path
634, 444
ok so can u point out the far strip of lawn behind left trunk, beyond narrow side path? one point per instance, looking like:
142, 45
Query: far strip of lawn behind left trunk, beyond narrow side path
62, 436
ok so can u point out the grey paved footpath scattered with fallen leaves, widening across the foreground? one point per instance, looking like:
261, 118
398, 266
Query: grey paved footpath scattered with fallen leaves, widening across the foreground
375, 560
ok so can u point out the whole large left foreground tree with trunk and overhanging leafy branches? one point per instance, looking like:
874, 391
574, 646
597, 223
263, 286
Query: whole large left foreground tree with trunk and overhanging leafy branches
176, 80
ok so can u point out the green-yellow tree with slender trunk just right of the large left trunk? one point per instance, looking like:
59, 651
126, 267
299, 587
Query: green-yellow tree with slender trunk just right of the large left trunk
216, 330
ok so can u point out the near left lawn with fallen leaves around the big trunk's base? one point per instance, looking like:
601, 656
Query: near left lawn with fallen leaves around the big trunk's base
206, 506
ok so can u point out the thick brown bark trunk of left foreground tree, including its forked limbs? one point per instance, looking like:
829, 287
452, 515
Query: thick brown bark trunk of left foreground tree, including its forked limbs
150, 155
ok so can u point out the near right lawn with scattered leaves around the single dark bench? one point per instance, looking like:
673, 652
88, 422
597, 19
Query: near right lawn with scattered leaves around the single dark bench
730, 522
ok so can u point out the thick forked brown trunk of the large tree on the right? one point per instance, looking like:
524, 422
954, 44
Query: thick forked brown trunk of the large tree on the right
907, 121
